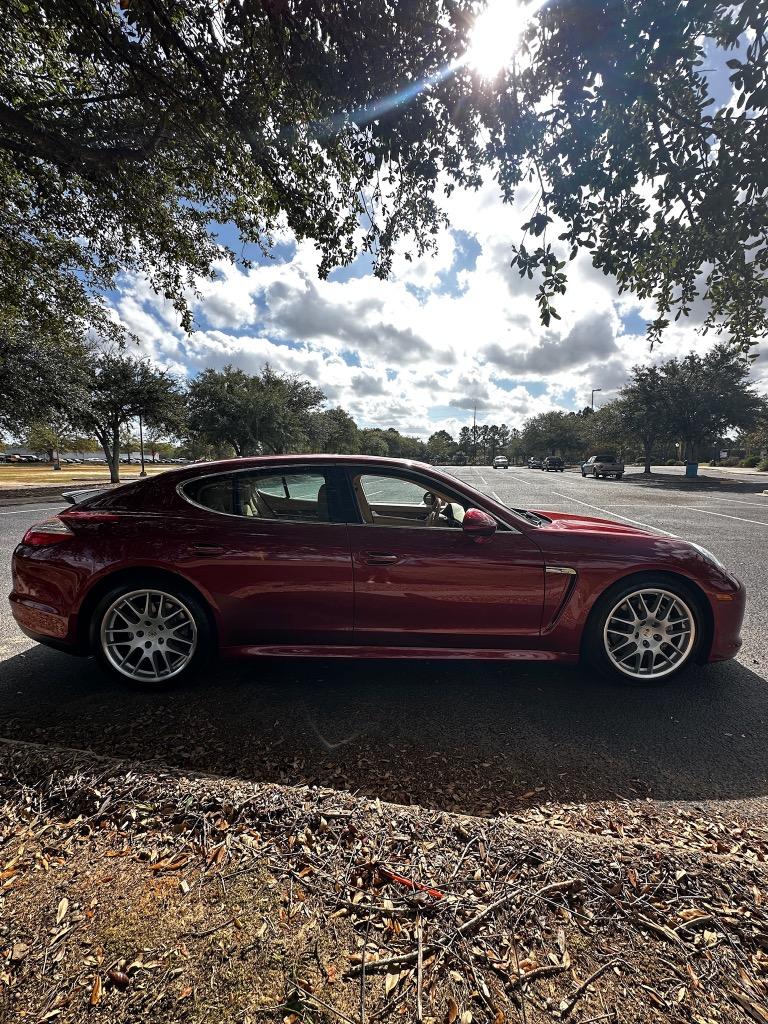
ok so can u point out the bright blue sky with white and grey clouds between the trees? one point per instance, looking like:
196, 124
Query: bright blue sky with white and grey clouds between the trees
446, 334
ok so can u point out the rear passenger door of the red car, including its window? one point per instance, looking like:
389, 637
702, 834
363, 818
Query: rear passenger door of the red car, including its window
271, 547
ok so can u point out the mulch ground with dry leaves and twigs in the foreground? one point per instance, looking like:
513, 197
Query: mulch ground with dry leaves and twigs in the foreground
137, 894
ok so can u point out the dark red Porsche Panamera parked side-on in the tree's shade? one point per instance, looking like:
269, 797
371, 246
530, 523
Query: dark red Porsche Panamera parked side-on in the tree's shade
349, 557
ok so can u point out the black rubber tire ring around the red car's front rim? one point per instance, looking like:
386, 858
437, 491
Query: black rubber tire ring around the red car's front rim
593, 642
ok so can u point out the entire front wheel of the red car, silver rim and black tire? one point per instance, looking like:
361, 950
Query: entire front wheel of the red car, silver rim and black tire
645, 630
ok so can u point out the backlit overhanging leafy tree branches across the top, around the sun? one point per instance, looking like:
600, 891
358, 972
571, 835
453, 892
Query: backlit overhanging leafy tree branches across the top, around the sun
130, 132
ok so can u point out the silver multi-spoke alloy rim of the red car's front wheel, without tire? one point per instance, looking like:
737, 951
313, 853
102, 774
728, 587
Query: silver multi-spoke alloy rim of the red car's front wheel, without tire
650, 633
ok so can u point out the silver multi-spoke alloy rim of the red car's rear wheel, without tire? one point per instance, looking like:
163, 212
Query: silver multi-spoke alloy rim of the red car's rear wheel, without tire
149, 636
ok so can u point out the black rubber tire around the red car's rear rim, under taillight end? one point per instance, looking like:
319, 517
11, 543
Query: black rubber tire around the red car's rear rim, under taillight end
203, 632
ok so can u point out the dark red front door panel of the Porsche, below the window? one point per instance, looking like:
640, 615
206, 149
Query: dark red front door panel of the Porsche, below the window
438, 587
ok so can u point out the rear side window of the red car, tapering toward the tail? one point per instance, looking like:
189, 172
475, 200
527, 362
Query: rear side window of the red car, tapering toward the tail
291, 497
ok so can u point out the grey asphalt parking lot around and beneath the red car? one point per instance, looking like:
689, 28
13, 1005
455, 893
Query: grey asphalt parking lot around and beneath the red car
478, 738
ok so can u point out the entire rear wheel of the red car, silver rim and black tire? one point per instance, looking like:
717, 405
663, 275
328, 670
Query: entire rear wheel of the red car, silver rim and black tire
151, 637
